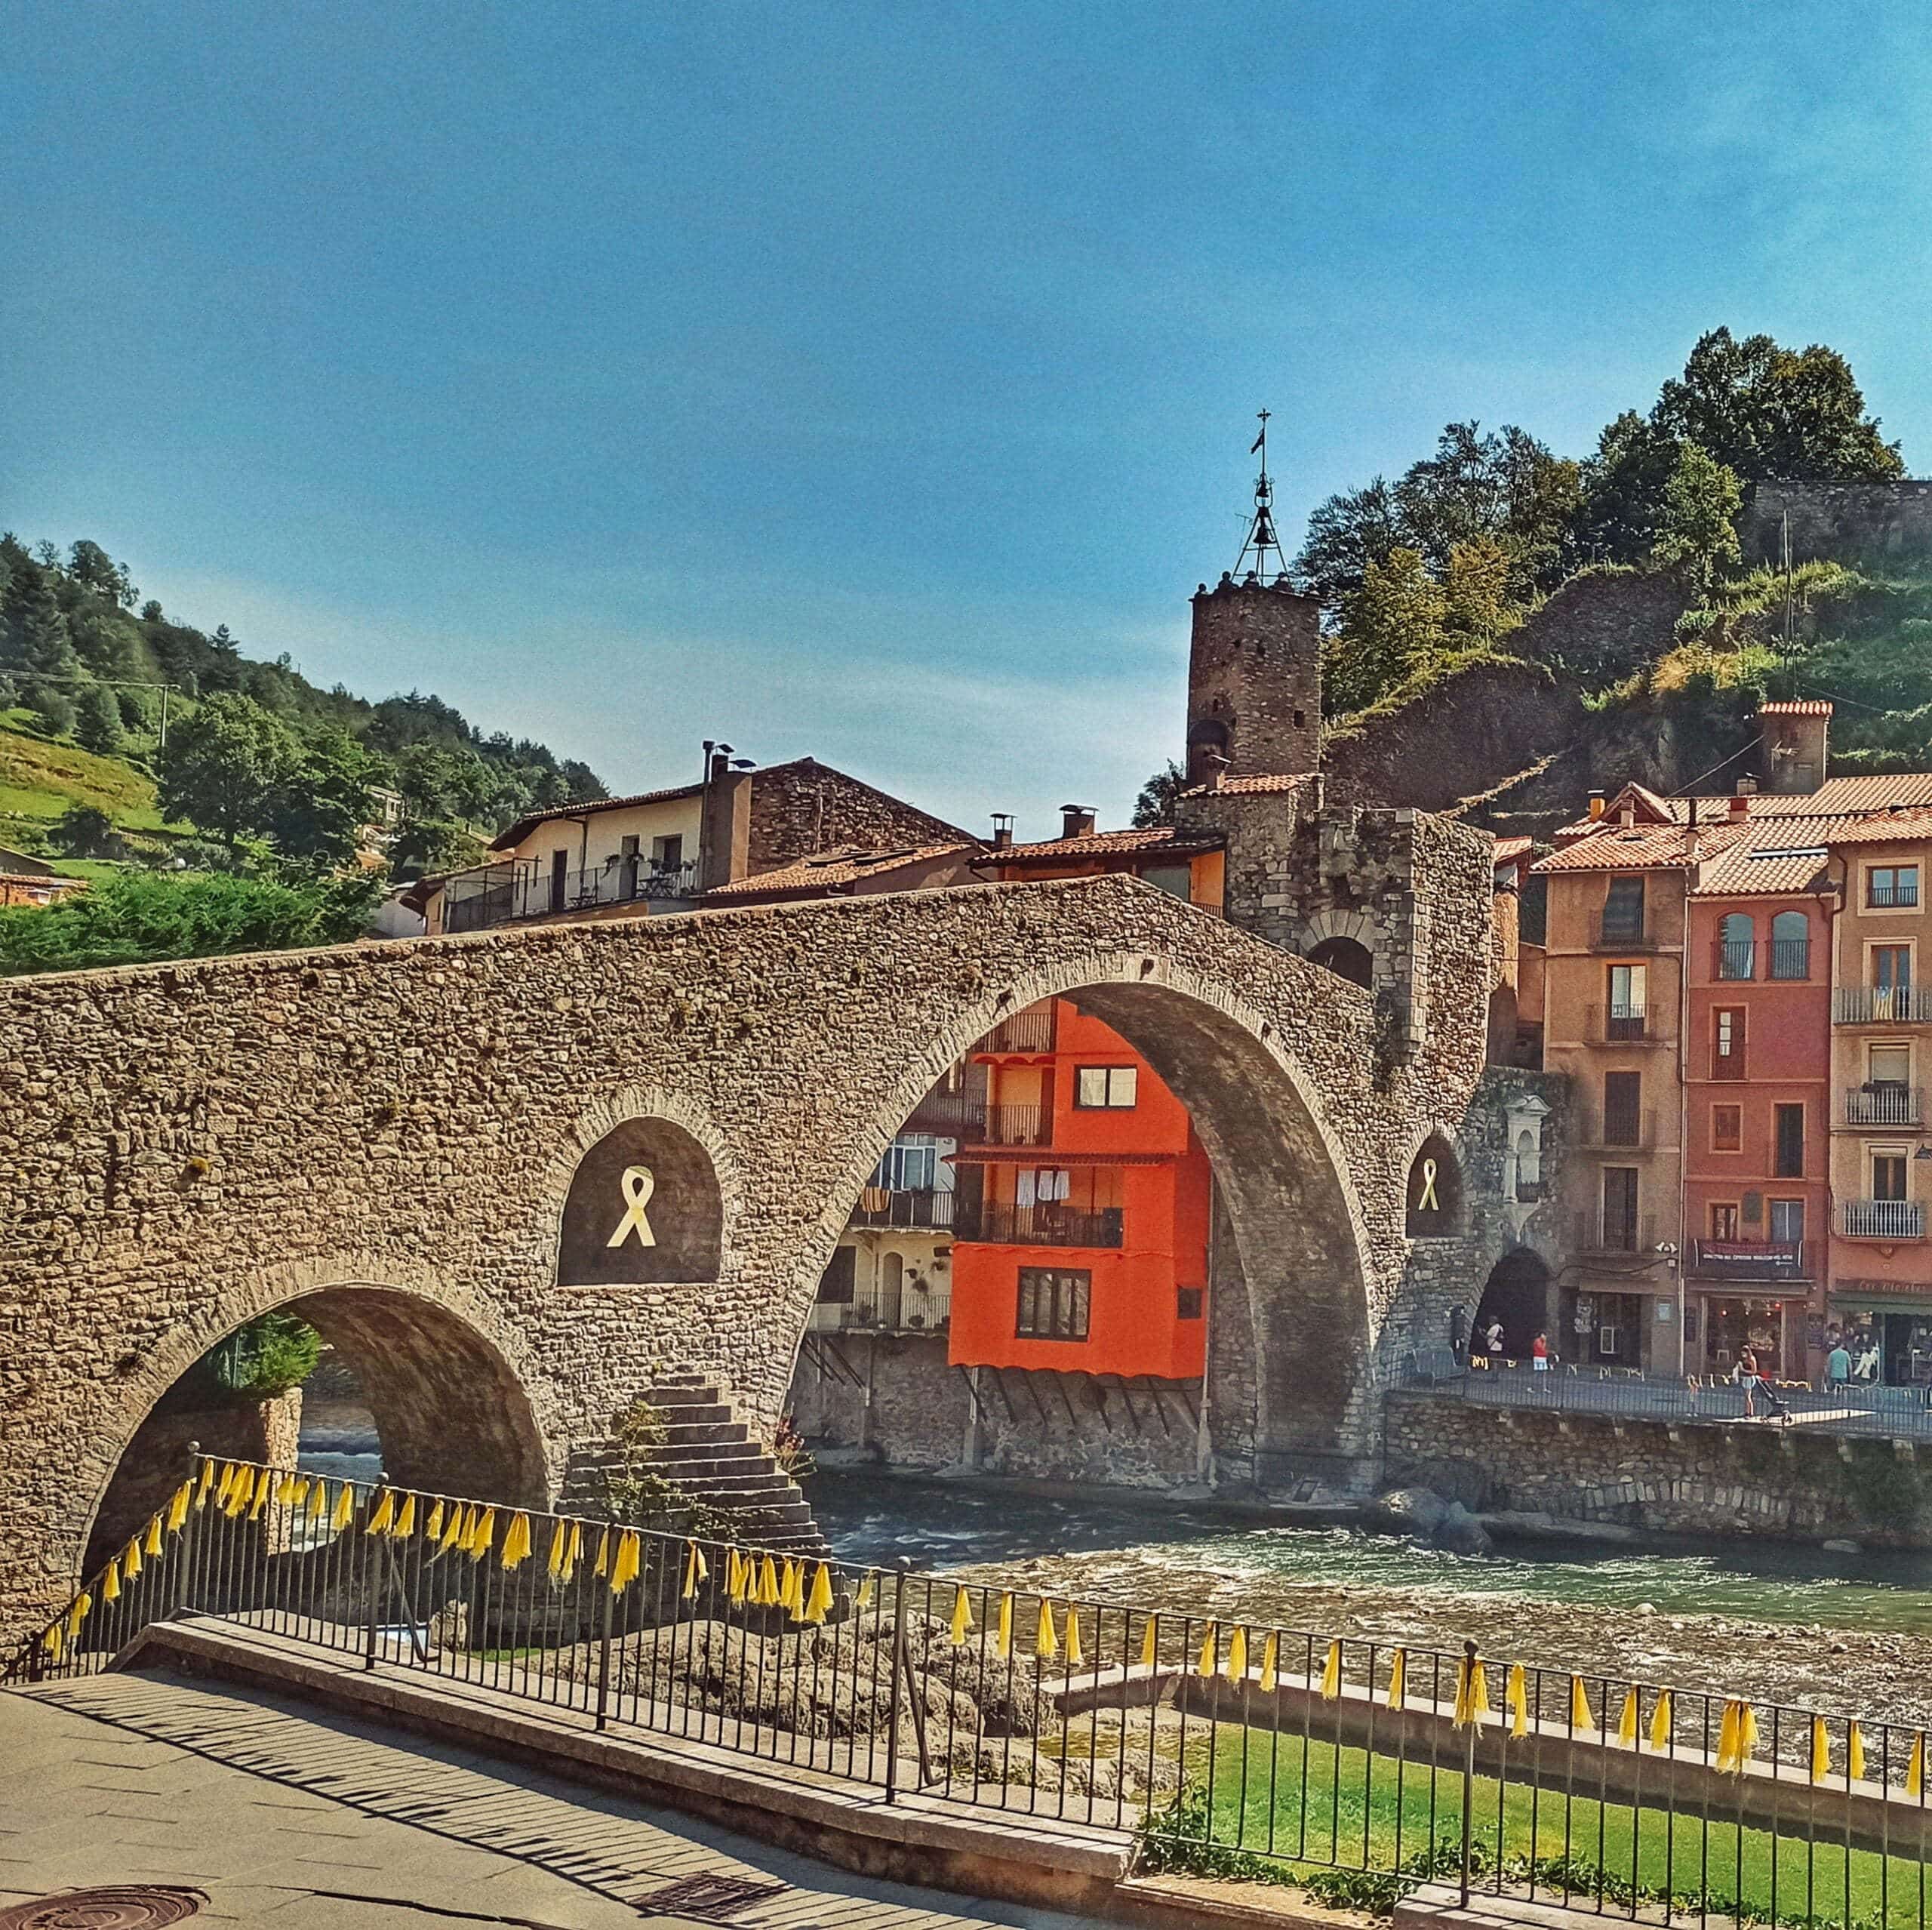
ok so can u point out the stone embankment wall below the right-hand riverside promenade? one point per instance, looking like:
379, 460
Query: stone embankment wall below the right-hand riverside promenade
1651, 1475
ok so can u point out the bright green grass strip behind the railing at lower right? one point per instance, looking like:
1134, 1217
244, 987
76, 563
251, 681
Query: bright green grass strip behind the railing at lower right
1361, 1832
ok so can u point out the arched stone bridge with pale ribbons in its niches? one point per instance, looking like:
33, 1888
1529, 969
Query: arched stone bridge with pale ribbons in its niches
395, 1141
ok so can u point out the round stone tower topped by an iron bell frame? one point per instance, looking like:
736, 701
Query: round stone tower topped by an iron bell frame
1255, 666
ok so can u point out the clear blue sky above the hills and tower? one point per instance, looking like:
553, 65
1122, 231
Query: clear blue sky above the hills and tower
876, 382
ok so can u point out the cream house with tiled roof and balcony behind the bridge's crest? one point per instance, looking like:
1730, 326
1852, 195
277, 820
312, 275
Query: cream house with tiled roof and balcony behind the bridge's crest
668, 851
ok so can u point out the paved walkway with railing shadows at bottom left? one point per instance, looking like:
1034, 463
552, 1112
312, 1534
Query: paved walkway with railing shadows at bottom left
310, 1821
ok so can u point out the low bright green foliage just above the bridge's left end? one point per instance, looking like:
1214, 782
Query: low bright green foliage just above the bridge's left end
132, 919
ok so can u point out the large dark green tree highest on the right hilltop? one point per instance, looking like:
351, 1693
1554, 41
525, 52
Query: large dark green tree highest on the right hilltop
1776, 412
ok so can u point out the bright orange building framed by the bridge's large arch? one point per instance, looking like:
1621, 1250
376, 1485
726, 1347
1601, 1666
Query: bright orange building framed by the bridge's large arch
1081, 1243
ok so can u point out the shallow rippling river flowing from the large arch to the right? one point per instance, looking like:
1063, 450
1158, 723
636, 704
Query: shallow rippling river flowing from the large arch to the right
1771, 1620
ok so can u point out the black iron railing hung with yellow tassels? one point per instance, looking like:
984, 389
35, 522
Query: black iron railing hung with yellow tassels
1230, 1747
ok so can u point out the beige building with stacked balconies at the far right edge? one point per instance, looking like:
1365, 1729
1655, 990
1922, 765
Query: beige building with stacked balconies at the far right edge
1881, 1062
